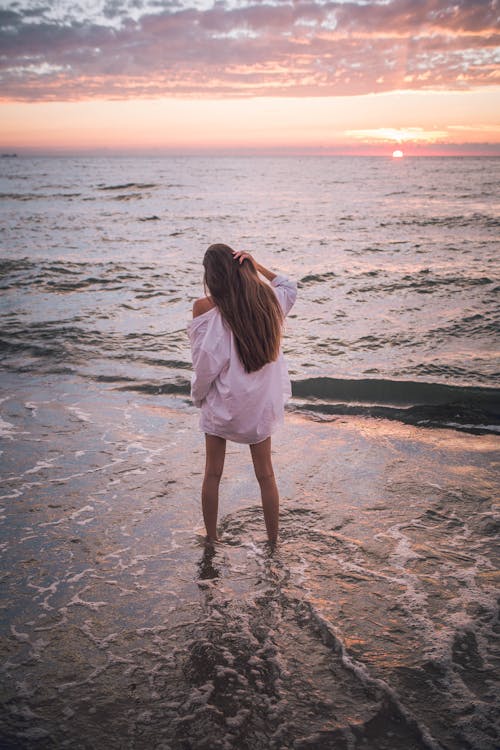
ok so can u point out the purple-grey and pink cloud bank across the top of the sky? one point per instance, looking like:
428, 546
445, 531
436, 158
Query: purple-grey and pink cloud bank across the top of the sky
152, 48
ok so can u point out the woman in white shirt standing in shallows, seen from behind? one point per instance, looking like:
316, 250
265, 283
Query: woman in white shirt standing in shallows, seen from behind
240, 380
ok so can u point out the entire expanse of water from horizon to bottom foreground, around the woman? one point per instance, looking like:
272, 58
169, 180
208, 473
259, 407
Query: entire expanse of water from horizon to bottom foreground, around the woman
372, 625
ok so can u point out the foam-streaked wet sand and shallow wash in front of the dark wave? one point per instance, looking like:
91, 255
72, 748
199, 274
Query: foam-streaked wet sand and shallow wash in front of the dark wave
371, 625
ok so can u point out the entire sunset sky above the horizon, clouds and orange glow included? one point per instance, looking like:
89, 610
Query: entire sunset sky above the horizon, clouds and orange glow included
193, 76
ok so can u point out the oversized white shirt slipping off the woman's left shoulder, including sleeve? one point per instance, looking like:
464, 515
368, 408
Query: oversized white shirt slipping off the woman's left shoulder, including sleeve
245, 407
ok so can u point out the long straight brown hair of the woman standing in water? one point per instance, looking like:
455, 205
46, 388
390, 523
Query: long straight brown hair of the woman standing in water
247, 304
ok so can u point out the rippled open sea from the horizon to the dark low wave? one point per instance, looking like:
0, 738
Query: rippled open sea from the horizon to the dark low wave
396, 260
